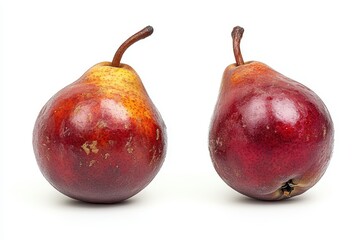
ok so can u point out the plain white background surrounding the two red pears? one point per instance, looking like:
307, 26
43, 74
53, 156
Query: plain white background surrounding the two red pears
46, 45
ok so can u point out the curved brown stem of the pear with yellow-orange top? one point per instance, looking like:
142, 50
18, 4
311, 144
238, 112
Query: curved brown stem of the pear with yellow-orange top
145, 32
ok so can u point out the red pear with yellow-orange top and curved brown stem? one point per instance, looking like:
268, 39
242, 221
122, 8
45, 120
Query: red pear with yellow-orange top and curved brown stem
101, 139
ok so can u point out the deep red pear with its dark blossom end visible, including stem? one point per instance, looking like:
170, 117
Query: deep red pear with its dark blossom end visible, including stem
270, 137
